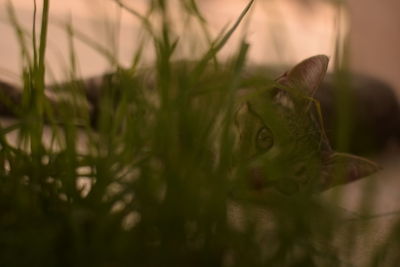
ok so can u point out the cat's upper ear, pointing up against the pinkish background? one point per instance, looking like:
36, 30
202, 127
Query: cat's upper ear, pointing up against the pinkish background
307, 75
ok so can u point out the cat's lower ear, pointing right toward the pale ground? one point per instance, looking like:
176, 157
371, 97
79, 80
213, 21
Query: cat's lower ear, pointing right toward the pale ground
342, 168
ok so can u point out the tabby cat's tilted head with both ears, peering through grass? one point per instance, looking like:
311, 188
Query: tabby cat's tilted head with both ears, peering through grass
282, 139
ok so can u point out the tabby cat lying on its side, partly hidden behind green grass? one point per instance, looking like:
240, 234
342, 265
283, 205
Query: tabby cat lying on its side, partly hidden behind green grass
278, 125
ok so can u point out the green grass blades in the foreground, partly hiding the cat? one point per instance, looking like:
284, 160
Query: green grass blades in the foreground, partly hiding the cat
166, 188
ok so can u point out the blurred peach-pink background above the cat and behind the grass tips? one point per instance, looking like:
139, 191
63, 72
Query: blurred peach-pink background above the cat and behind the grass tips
279, 31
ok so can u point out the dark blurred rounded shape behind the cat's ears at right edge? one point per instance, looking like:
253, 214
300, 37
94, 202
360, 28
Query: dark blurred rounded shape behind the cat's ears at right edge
366, 106
